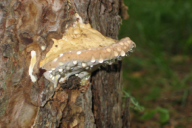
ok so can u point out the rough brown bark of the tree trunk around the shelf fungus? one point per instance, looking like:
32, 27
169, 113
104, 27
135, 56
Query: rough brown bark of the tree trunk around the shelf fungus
27, 25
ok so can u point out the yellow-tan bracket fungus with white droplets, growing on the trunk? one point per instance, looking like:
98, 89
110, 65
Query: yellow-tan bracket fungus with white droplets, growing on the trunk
82, 50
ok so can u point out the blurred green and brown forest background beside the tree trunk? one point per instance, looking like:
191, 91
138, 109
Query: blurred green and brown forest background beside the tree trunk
157, 76
